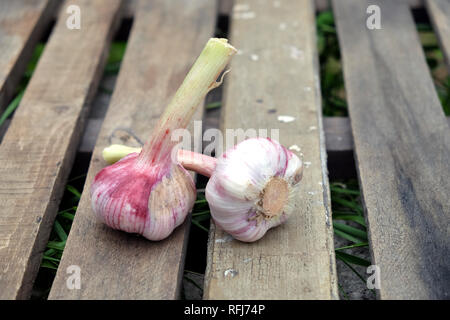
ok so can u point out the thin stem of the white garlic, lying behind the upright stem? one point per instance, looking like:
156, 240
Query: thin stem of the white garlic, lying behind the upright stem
197, 162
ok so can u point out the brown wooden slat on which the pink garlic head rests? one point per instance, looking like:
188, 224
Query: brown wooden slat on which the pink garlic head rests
165, 40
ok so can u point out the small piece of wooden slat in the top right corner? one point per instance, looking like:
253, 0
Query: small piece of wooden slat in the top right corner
439, 12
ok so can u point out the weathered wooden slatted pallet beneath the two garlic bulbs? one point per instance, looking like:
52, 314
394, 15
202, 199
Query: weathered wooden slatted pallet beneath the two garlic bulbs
396, 129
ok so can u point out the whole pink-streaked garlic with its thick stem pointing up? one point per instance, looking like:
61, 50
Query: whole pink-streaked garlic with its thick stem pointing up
148, 193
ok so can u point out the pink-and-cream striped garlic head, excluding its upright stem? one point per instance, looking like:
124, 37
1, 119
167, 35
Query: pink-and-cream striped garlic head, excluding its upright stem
151, 203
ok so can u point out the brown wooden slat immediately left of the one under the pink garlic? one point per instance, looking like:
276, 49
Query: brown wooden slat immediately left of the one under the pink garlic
38, 149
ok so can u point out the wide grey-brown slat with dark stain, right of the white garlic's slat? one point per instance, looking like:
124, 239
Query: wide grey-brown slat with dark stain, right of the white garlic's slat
402, 144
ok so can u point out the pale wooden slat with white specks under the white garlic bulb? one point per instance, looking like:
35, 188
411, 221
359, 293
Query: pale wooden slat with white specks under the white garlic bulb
276, 68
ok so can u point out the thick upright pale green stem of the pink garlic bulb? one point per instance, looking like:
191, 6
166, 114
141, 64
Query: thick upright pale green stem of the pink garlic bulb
198, 82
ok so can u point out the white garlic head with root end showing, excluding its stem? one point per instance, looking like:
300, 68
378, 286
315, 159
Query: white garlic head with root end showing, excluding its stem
253, 188
